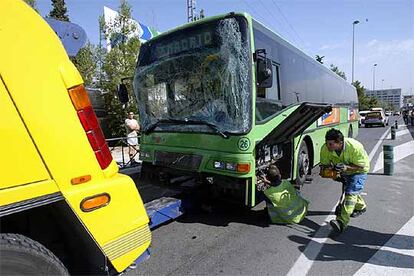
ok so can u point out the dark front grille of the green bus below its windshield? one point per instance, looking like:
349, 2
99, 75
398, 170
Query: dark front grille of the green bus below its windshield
178, 160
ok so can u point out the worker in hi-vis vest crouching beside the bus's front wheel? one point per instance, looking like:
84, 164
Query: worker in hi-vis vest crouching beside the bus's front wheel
284, 204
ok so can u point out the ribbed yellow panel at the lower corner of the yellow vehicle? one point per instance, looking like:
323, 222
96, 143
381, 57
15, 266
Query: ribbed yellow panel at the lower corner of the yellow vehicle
127, 242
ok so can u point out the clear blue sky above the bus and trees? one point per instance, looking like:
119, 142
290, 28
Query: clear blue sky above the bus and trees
385, 35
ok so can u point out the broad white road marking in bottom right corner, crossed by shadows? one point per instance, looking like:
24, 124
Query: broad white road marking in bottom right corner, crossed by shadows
381, 262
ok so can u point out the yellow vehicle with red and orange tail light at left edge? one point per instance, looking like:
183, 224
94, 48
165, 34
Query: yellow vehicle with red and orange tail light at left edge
64, 208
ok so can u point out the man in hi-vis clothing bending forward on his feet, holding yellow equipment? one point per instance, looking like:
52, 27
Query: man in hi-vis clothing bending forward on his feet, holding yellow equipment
349, 157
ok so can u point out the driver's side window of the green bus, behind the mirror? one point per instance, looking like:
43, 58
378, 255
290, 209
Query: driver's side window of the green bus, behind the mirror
268, 99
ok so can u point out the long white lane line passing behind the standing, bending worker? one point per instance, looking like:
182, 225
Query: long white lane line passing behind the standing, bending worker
305, 261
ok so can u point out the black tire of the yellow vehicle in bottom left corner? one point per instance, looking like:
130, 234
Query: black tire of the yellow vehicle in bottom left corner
23, 256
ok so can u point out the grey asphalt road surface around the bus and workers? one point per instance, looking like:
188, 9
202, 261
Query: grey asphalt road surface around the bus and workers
230, 241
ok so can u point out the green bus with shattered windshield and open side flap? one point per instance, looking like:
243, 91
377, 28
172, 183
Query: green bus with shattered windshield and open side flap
222, 98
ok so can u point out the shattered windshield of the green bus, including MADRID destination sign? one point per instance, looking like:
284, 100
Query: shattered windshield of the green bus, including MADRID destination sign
196, 80
